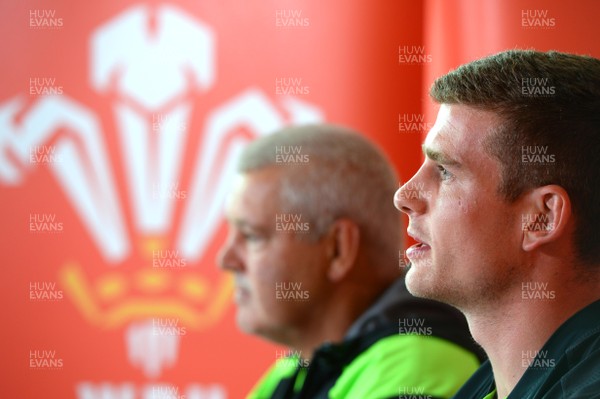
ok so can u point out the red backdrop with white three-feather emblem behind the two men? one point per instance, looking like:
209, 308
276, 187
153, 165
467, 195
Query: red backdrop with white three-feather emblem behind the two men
119, 123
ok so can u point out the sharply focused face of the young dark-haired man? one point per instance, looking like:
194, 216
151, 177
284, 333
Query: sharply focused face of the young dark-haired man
470, 237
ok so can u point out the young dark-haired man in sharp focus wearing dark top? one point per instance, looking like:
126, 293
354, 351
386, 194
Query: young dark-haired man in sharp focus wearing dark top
509, 233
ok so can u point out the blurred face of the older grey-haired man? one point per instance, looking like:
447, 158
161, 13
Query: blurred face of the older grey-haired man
279, 277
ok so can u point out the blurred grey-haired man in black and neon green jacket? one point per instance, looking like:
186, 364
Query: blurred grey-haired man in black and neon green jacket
313, 246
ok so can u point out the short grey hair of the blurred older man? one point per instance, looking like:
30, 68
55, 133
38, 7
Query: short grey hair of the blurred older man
329, 172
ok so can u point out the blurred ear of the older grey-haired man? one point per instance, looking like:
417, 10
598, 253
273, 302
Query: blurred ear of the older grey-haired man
343, 241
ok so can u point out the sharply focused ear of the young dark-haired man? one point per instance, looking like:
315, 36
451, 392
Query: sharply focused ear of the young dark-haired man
549, 212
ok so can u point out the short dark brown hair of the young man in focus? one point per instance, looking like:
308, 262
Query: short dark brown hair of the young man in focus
549, 101
